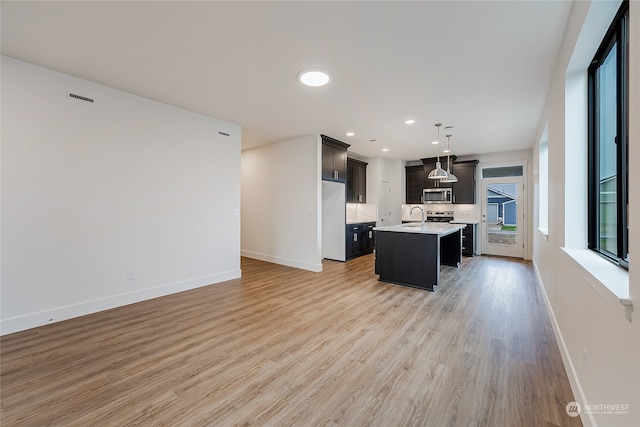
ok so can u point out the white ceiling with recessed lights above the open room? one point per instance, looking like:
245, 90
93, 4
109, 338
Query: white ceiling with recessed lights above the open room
482, 66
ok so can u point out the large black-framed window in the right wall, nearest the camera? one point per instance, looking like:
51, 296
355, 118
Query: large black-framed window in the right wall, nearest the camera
609, 144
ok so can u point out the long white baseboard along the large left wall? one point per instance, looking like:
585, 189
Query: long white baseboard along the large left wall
33, 320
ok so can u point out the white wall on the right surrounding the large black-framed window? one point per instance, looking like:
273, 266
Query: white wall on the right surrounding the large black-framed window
586, 315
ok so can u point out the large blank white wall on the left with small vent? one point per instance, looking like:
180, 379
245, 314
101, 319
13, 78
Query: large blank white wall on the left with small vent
93, 190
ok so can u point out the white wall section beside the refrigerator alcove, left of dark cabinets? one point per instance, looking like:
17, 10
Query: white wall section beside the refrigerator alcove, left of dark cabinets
281, 190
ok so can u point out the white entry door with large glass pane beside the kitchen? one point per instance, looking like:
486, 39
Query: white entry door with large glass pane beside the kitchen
502, 217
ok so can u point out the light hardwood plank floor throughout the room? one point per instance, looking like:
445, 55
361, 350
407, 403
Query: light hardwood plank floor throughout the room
284, 347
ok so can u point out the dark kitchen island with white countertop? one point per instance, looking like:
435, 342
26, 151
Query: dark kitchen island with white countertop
411, 254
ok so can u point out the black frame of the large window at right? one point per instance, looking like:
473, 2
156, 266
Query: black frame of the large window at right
616, 37
